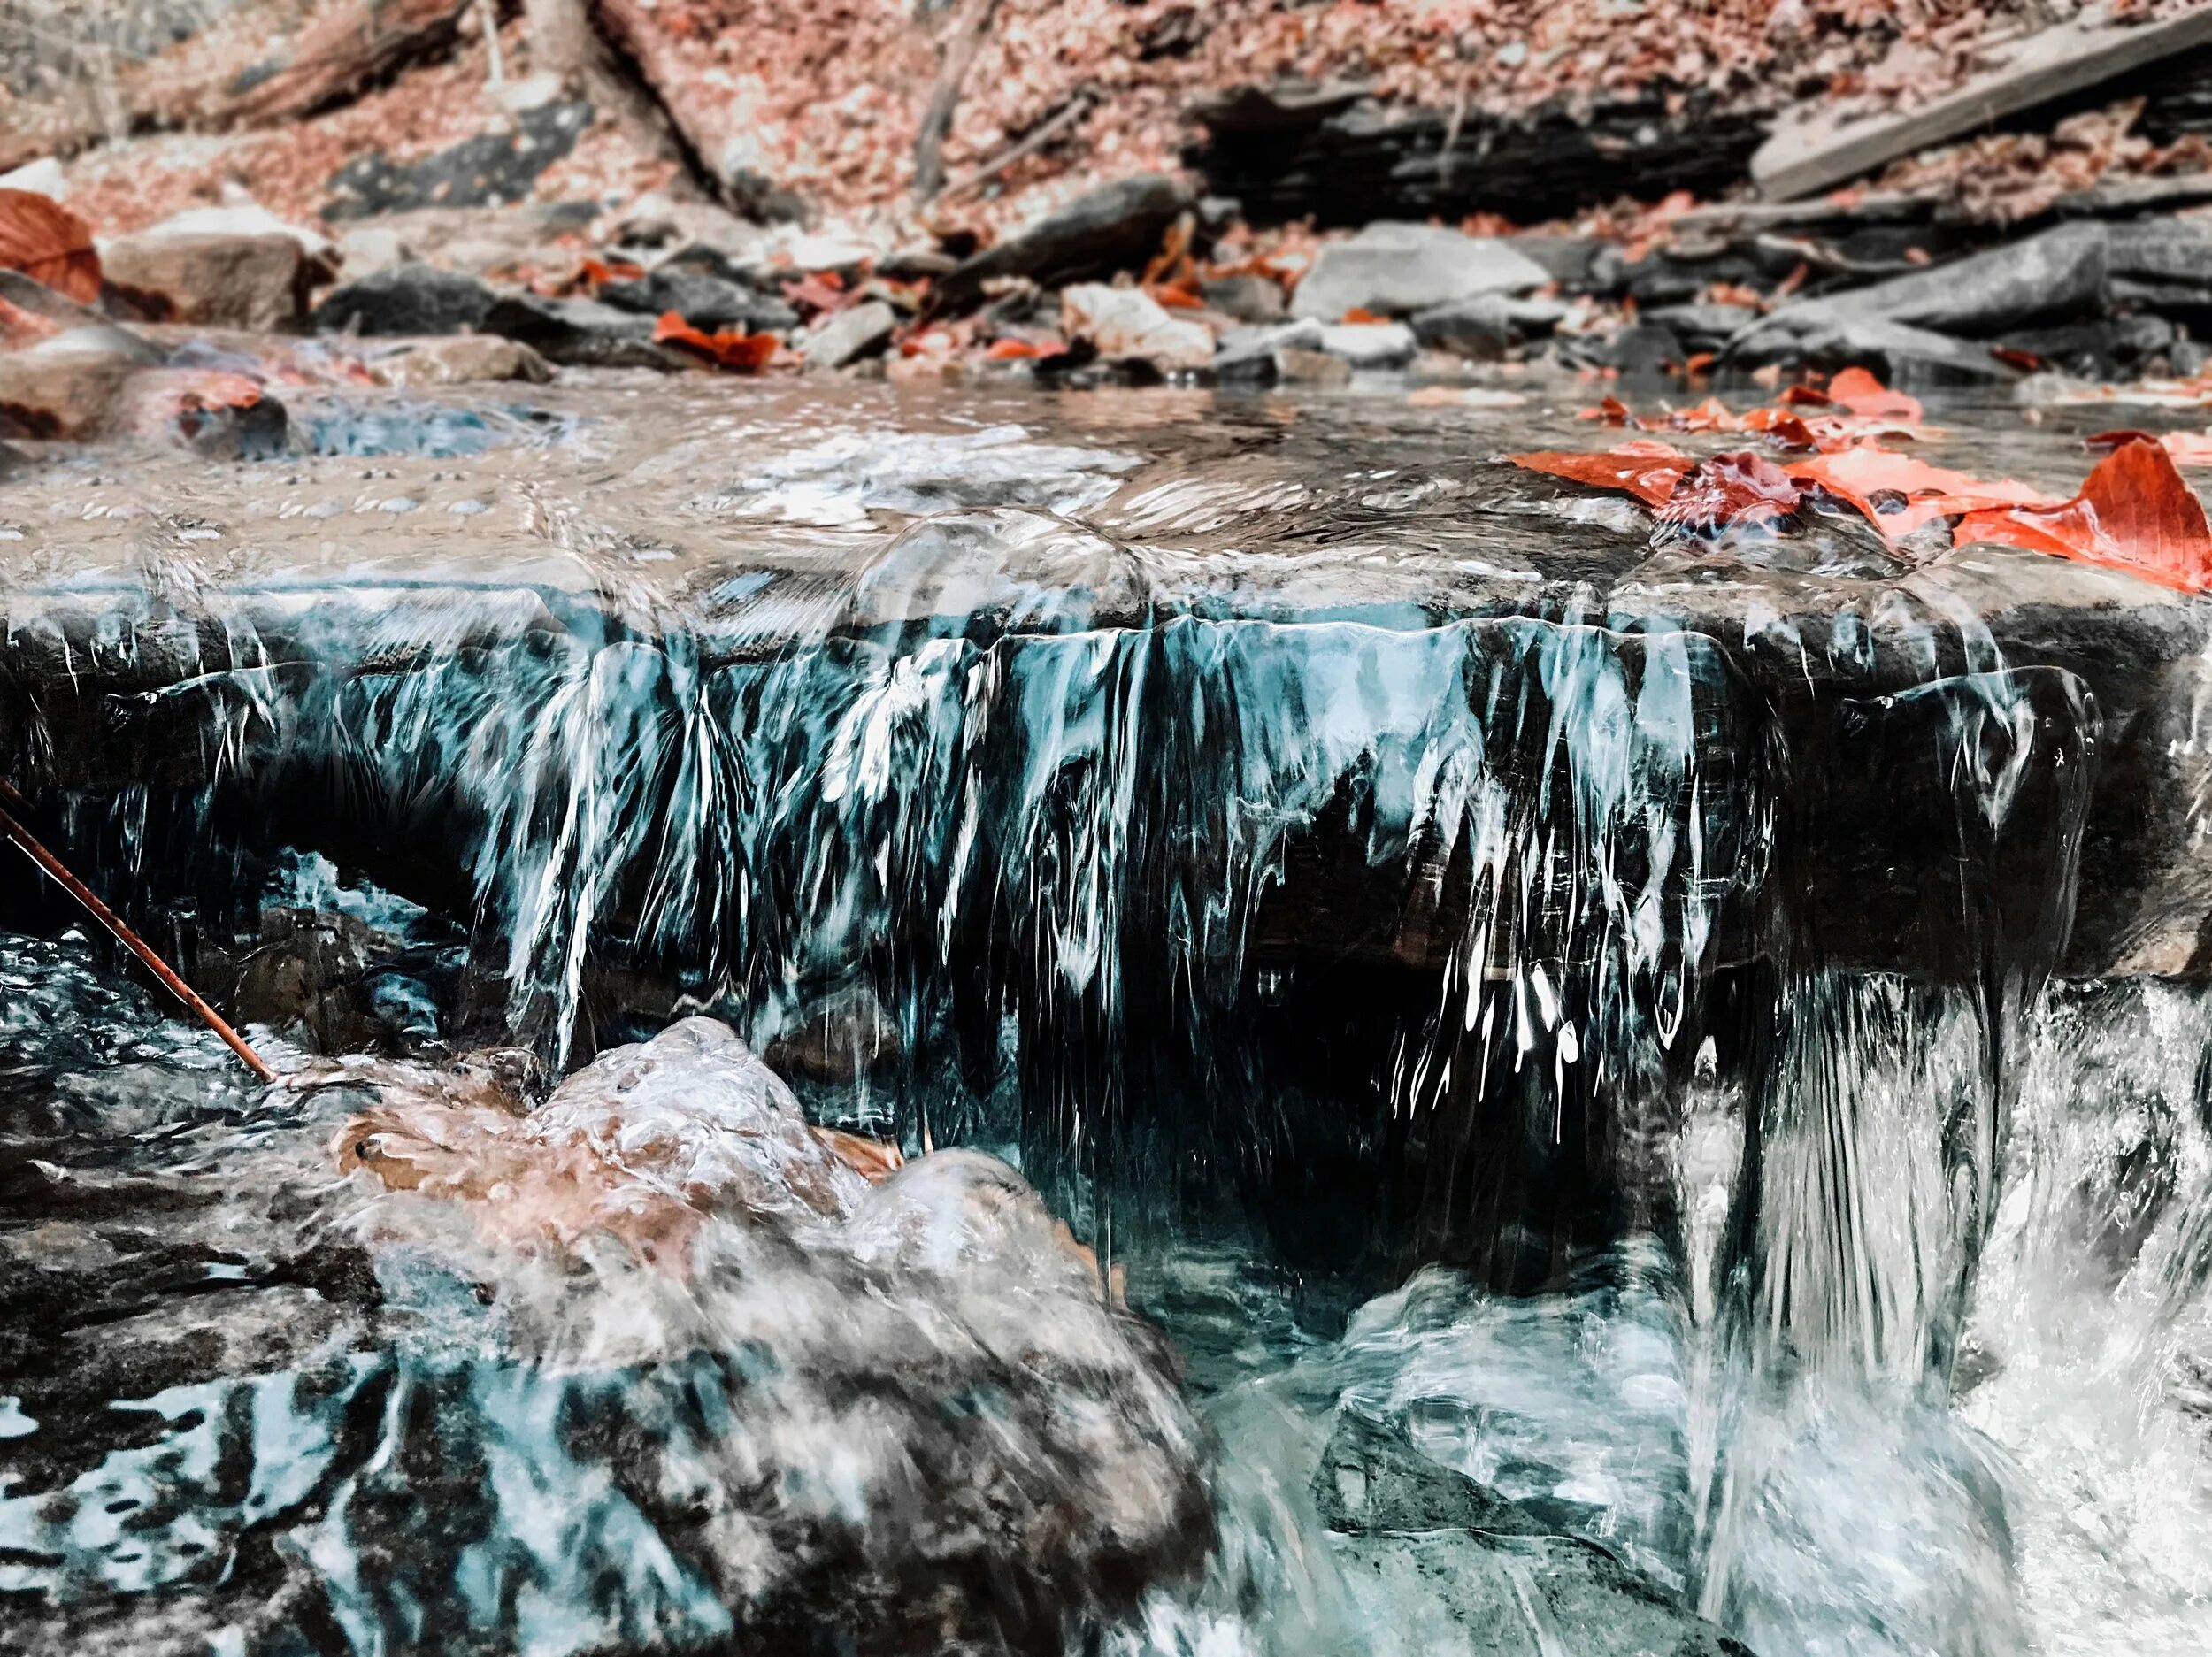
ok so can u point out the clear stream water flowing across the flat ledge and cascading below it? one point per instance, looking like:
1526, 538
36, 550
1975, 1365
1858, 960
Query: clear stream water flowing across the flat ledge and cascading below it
1603, 1008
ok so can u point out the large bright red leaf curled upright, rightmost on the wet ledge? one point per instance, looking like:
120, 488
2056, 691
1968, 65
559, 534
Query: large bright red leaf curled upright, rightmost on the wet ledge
2133, 514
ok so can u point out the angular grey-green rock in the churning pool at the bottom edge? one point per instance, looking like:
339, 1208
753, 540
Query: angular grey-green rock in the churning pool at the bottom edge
1461, 1570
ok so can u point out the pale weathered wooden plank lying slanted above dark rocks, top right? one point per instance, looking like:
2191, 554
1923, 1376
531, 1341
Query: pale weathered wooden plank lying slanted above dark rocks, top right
1819, 149
